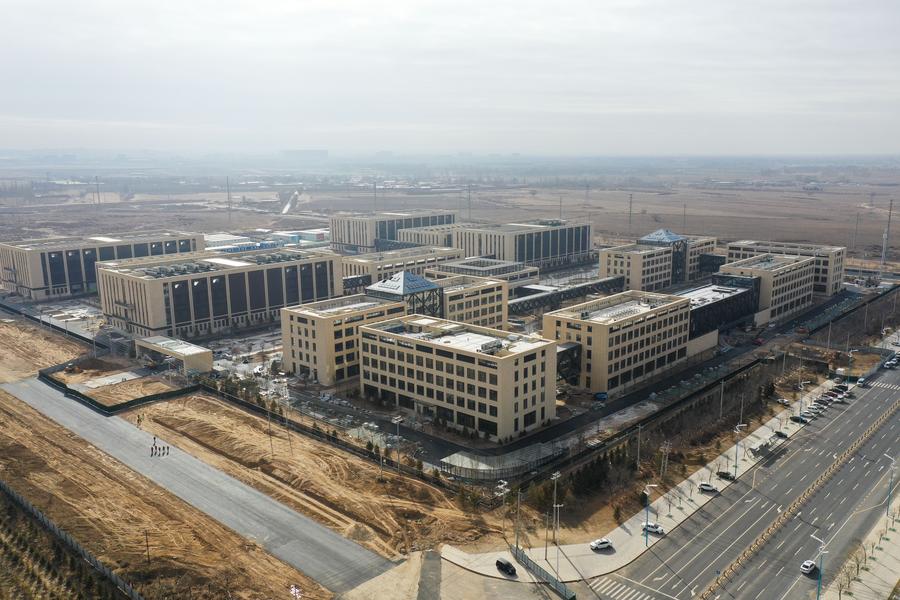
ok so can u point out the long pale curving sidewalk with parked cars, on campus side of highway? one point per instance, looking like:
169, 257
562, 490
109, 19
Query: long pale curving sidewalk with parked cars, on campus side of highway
578, 562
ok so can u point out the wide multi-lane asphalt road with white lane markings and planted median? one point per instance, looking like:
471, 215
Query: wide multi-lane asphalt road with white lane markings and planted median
689, 557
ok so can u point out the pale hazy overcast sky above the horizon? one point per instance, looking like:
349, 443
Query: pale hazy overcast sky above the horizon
594, 77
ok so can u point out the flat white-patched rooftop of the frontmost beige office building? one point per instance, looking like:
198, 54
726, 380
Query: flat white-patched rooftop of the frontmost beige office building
461, 336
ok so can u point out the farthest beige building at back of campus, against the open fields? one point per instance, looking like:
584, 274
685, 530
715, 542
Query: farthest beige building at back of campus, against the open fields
357, 232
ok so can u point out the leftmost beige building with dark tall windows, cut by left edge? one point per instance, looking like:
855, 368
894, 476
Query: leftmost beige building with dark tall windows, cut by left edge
59, 267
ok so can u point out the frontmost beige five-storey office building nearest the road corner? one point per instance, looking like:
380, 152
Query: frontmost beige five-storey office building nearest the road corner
469, 377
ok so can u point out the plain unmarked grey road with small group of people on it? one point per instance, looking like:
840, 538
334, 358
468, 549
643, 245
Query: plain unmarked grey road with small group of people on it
333, 561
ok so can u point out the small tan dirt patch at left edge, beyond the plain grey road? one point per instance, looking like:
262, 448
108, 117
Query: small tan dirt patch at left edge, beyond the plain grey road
26, 348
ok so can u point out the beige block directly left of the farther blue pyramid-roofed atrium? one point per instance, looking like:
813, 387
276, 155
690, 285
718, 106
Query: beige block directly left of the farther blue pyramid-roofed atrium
646, 268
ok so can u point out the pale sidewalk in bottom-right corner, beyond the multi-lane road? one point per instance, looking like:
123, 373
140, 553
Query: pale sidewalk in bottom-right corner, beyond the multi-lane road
884, 565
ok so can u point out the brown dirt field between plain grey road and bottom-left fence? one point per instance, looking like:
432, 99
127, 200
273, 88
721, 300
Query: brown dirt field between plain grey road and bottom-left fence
109, 508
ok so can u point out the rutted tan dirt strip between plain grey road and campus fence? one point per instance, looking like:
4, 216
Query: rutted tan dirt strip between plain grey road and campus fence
337, 489
